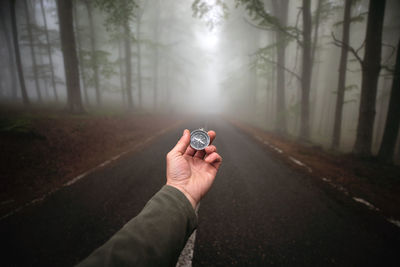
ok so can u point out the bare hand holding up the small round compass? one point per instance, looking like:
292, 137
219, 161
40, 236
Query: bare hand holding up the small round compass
191, 171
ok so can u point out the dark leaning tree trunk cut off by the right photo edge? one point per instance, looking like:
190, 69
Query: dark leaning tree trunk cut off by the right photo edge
388, 144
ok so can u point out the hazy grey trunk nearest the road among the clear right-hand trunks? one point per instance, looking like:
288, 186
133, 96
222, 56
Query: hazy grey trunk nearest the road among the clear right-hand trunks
281, 11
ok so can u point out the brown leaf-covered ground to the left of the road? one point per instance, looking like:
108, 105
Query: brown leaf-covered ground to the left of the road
41, 150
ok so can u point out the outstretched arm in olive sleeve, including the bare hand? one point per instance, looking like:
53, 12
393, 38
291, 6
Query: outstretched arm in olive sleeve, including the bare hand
157, 235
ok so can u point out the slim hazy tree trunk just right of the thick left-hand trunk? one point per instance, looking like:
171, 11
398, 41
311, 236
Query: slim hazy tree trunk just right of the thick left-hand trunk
93, 47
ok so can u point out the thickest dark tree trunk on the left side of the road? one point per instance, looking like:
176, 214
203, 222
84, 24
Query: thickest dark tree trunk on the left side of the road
69, 53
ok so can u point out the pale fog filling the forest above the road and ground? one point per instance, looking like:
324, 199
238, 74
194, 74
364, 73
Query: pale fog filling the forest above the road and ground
206, 57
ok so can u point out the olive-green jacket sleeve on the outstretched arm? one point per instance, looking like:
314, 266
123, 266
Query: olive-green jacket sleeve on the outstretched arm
155, 237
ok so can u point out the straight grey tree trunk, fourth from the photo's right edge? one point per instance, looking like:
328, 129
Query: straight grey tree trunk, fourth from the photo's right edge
306, 73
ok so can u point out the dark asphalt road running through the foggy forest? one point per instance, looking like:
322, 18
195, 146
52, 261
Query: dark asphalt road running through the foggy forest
259, 212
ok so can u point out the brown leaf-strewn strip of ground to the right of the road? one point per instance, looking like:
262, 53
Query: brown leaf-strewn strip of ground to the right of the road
367, 181
